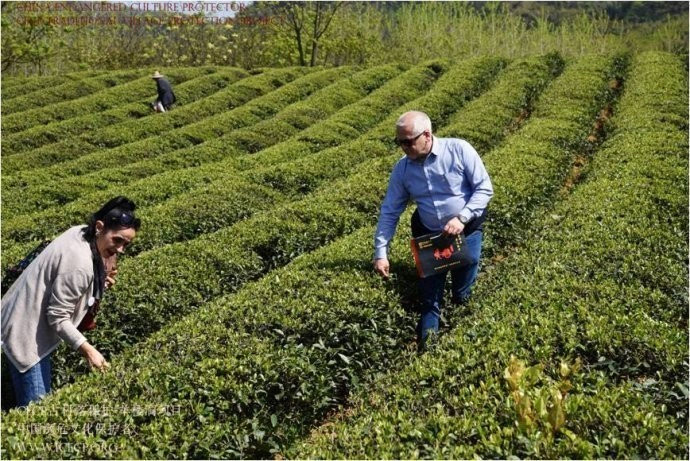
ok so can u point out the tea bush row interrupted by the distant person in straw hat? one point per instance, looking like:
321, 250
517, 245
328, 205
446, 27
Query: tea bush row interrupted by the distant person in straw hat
110, 110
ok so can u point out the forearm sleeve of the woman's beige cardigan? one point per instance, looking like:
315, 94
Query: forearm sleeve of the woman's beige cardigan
67, 290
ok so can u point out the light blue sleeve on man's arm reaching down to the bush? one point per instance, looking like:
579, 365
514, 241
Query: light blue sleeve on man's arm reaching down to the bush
393, 205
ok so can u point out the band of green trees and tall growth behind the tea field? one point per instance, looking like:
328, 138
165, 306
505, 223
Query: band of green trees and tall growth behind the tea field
276, 34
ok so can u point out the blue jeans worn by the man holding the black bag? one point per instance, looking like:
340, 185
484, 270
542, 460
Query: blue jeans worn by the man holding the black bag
462, 278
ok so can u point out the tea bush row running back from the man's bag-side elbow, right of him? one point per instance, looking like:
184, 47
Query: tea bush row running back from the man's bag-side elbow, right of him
547, 145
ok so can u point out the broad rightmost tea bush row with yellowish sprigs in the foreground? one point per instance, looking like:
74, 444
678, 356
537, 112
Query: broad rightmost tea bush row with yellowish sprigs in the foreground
602, 283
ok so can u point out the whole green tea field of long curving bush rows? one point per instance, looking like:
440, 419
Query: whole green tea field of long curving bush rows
247, 321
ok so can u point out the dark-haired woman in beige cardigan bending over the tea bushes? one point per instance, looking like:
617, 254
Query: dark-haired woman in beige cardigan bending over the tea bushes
57, 296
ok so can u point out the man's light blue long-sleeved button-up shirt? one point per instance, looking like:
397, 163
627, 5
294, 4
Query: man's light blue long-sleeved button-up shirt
451, 181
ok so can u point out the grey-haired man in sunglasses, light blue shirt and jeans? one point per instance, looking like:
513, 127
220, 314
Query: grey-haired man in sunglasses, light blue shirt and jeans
450, 186
